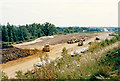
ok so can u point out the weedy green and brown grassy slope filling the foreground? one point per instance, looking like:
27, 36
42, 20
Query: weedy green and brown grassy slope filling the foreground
102, 63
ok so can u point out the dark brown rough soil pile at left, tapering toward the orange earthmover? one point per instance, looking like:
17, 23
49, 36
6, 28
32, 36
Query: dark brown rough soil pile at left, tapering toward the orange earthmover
9, 54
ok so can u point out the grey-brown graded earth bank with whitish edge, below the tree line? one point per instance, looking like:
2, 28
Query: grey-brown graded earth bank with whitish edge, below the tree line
53, 40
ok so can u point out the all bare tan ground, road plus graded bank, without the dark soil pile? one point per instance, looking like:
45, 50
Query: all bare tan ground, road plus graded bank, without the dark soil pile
57, 43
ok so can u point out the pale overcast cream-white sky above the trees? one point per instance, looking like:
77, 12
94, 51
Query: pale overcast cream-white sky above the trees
85, 13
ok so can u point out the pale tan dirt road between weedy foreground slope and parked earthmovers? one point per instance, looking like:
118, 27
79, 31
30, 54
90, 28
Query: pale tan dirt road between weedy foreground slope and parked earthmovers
27, 63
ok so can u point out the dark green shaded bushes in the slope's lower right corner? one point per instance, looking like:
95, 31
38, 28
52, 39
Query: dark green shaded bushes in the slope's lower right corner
111, 63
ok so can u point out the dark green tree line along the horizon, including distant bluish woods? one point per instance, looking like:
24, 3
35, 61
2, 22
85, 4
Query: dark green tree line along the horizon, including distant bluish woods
12, 33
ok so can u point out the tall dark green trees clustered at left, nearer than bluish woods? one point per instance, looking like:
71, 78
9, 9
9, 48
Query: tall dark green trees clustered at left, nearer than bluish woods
11, 33
